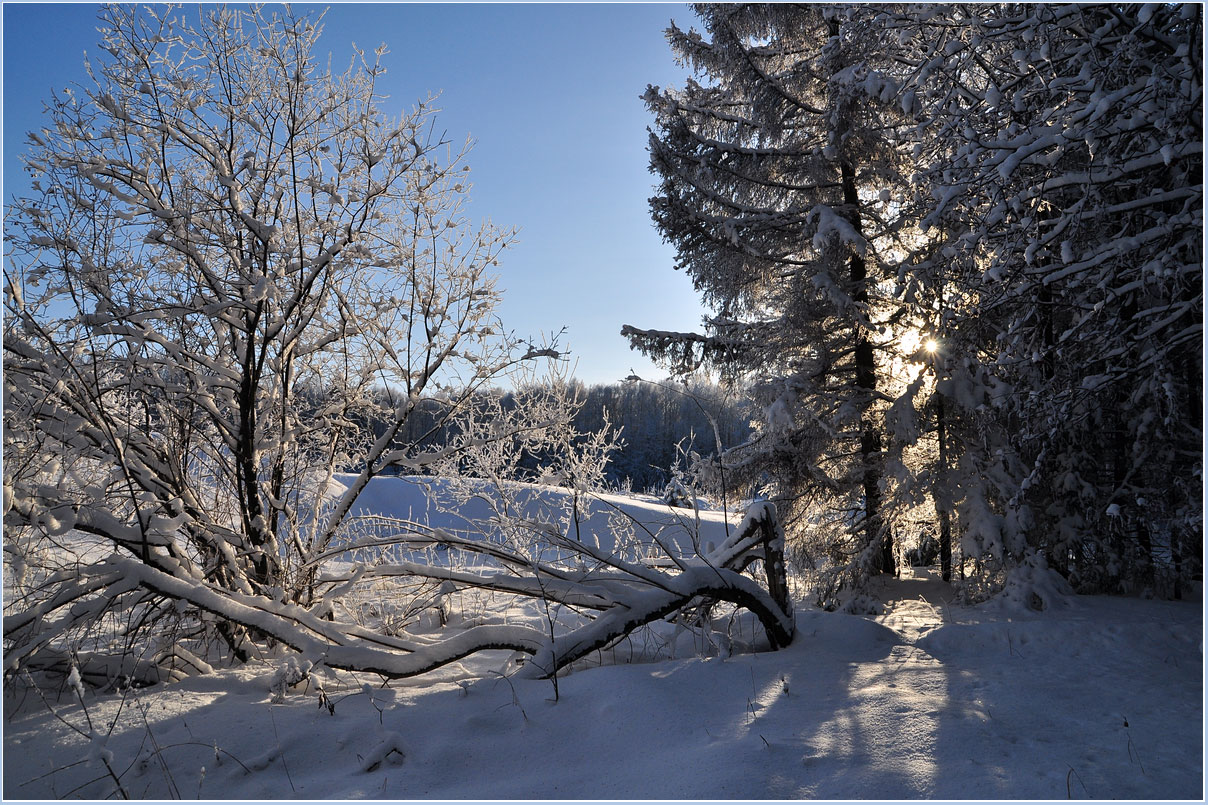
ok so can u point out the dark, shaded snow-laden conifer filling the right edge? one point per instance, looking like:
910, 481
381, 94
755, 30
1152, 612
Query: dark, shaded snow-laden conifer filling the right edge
1066, 159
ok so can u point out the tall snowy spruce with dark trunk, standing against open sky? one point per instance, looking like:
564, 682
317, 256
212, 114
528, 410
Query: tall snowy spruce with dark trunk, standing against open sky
777, 176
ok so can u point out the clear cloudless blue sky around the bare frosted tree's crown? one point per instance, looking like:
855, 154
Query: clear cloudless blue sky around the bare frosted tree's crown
551, 96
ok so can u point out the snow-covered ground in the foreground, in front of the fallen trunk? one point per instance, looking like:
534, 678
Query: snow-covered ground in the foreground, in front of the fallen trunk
1095, 699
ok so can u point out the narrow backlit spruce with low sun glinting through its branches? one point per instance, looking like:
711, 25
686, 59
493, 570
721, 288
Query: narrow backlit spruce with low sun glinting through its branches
950, 450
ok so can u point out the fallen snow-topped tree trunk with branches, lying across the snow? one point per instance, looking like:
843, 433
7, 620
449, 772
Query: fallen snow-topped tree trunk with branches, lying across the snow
624, 596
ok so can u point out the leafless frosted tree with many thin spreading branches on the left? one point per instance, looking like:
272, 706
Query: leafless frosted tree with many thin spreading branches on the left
226, 250
